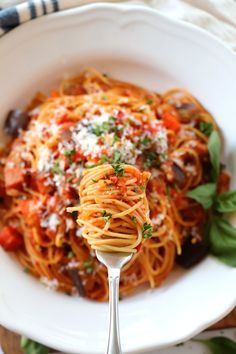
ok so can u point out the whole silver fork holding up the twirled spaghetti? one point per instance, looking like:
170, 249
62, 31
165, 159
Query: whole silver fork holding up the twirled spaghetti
114, 262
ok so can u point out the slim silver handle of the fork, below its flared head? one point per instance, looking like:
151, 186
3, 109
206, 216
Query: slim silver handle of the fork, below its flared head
114, 331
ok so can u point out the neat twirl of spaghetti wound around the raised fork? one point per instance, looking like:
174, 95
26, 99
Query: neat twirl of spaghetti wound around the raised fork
113, 208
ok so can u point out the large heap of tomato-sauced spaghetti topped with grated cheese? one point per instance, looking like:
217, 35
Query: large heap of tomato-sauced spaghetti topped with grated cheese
92, 120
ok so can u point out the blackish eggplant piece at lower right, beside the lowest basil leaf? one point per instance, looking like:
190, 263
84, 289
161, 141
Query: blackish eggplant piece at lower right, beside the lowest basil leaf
192, 253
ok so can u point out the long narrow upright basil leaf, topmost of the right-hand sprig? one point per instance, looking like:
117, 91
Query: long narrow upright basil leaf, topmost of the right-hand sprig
214, 147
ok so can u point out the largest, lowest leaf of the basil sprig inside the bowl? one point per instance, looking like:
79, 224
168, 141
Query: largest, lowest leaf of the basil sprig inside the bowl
223, 240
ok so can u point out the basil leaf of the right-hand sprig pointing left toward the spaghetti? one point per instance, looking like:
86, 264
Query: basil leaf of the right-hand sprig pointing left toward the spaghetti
203, 194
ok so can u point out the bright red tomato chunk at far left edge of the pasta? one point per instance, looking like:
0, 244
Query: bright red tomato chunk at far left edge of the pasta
11, 239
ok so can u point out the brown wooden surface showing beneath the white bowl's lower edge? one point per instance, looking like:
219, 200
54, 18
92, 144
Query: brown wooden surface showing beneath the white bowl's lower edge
10, 341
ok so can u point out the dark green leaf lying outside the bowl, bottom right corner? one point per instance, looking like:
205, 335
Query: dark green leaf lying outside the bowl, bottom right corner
220, 345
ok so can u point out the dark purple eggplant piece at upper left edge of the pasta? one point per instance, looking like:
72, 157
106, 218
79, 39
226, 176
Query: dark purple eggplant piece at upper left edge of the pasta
15, 121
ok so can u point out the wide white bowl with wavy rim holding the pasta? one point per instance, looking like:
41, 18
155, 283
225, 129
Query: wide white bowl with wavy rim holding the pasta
138, 45
